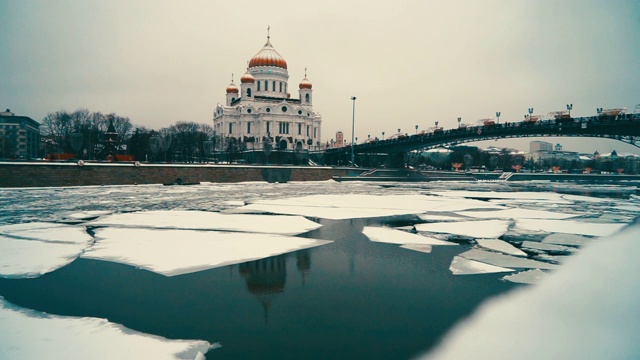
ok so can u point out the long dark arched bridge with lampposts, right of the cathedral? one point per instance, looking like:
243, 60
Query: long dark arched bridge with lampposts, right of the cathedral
622, 127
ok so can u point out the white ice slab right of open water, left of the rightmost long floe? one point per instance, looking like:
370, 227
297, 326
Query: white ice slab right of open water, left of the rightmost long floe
475, 229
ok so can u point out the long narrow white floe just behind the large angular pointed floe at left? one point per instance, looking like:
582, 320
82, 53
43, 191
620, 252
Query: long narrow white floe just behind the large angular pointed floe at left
201, 220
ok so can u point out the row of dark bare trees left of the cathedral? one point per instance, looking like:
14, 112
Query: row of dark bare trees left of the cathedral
83, 133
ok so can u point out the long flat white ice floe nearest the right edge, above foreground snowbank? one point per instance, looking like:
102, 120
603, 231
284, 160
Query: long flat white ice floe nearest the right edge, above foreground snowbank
569, 227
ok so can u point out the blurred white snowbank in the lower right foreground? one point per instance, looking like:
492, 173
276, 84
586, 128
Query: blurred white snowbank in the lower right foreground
587, 309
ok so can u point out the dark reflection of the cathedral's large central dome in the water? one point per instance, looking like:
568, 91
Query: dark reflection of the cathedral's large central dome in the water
265, 279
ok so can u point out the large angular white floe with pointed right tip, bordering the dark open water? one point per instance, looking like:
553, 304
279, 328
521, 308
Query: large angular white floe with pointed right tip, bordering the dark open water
175, 252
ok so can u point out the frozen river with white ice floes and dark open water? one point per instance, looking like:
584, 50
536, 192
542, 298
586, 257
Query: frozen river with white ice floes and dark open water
298, 270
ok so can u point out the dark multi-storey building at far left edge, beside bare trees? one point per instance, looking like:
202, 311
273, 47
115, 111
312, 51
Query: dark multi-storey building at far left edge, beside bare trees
19, 136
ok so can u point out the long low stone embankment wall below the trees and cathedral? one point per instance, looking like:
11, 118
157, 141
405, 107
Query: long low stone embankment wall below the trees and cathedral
40, 174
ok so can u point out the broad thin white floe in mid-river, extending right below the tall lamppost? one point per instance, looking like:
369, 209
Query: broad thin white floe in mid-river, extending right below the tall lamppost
351, 206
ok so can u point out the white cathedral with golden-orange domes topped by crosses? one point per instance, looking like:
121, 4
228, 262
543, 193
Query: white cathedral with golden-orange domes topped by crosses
262, 113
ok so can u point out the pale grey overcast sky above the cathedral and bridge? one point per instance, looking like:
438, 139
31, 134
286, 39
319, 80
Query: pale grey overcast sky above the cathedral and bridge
407, 62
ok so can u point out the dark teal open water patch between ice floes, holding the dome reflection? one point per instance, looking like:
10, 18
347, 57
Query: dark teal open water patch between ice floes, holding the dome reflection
349, 299
